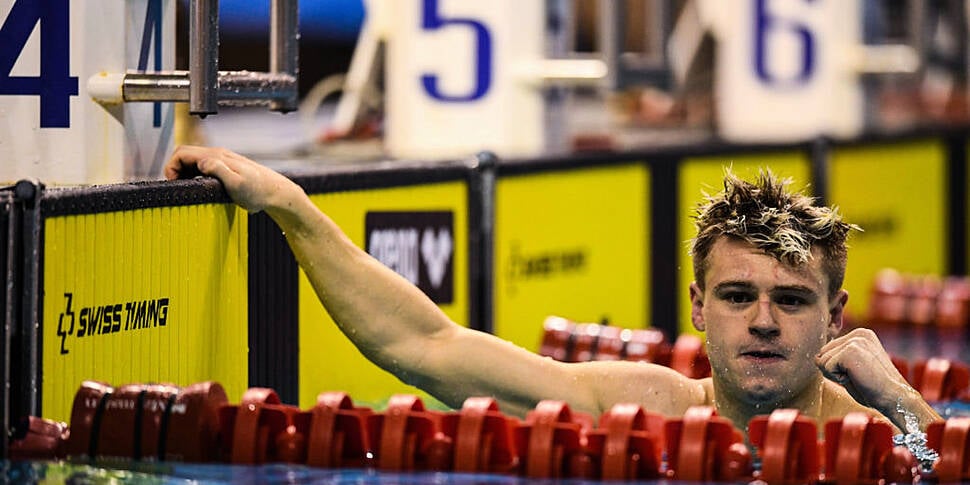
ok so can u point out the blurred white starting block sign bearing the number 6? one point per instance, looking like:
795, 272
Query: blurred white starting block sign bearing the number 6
787, 69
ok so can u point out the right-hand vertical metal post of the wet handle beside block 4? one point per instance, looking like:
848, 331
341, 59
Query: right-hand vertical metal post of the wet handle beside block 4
284, 46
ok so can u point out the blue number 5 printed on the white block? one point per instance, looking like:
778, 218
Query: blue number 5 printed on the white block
430, 20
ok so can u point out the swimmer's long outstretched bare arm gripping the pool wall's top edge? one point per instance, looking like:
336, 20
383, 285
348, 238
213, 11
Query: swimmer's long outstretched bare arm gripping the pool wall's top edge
397, 327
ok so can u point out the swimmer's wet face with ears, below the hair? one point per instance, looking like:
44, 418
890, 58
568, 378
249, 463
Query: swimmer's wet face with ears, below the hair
765, 322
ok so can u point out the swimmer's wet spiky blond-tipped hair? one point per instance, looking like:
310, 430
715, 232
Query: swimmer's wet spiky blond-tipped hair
784, 224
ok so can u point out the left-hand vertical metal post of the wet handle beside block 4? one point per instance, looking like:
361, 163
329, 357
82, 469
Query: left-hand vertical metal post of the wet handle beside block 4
203, 57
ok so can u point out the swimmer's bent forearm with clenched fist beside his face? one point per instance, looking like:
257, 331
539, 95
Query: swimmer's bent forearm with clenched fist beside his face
858, 361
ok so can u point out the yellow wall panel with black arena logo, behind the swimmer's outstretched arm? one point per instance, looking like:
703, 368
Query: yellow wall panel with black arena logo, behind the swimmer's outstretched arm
419, 231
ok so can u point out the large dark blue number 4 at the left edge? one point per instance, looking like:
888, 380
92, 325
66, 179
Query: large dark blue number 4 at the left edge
55, 85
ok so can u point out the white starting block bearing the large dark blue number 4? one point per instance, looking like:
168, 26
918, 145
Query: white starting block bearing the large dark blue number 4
51, 129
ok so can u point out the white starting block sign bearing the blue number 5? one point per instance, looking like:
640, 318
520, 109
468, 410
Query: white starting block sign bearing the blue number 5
457, 79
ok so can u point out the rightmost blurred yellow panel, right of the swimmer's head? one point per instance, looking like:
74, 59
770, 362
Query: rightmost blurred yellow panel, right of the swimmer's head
897, 193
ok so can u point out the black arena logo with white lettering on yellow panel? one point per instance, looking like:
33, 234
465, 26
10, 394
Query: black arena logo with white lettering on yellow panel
419, 246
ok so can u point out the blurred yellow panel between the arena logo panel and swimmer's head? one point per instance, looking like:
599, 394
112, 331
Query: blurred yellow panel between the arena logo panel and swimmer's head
571, 243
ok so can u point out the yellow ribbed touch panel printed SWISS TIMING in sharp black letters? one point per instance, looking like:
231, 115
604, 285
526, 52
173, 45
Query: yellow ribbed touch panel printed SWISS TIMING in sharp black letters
149, 295
